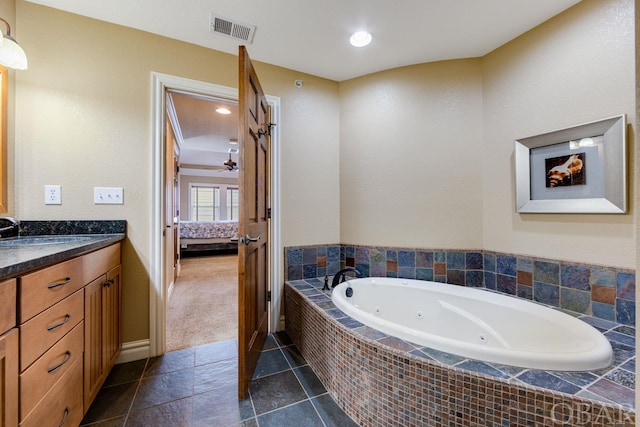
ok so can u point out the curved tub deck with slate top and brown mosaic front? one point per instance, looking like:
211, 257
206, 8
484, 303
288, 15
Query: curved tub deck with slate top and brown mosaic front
380, 380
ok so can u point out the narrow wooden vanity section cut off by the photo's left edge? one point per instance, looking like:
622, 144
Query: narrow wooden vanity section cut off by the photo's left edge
9, 355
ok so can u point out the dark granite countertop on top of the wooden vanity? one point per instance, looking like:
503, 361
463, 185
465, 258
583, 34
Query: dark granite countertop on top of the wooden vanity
17, 260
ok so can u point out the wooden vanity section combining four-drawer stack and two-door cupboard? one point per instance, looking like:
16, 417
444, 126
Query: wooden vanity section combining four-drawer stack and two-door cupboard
67, 314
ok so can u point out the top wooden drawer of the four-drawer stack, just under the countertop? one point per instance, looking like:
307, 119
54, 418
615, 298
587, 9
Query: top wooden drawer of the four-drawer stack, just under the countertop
43, 288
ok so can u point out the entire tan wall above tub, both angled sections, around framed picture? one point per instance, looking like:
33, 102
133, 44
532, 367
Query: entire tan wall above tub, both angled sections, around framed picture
427, 150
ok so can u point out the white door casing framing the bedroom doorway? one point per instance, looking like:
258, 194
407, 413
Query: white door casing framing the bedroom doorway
157, 271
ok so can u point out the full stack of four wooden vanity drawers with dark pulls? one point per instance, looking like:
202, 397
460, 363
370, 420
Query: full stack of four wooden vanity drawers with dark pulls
51, 306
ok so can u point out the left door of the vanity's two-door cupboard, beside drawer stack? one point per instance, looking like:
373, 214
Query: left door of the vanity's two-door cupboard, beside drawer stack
94, 374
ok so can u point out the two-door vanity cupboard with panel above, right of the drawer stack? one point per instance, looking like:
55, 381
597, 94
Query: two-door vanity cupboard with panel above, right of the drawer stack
103, 318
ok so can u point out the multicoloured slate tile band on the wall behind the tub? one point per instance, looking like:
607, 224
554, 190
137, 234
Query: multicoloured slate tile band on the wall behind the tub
601, 291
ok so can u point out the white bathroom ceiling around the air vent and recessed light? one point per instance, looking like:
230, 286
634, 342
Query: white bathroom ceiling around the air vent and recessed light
312, 36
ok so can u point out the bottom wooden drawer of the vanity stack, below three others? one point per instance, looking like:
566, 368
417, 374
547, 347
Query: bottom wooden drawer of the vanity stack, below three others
62, 405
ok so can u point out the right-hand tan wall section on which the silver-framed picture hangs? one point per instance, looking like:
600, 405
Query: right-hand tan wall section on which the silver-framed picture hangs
575, 68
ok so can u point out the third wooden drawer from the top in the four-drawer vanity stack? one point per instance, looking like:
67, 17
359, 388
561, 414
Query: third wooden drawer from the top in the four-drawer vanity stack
48, 369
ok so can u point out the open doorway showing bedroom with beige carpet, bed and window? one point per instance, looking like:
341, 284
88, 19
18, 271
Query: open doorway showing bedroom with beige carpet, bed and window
202, 306
